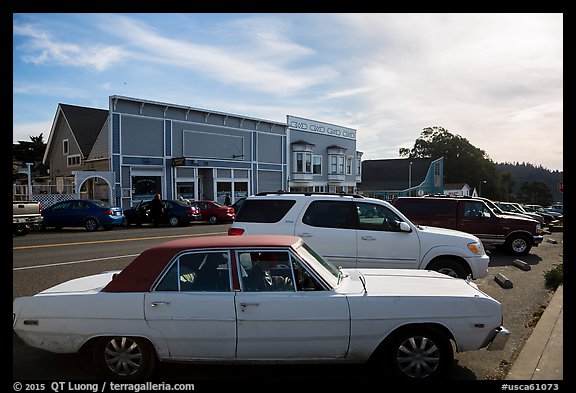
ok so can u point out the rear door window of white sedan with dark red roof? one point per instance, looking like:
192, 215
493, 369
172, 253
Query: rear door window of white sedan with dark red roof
198, 272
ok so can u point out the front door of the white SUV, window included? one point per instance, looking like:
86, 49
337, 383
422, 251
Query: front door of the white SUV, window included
381, 243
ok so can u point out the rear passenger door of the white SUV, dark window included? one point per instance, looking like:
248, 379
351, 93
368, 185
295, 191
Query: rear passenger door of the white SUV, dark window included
329, 227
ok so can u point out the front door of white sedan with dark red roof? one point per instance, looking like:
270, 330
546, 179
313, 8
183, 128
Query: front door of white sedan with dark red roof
293, 321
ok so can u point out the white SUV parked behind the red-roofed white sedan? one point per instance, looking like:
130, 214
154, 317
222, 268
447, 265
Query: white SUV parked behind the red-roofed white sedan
353, 231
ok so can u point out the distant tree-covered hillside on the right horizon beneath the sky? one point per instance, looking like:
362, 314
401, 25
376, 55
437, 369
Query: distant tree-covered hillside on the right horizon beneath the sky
527, 172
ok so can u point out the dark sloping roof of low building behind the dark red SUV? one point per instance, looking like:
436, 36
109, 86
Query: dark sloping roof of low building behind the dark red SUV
394, 174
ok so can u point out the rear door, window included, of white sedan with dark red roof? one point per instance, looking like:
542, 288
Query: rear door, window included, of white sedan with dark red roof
192, 307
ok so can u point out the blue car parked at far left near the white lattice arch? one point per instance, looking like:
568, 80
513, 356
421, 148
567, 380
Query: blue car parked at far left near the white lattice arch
88, 213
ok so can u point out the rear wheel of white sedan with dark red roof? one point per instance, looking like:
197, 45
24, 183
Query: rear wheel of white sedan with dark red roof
124, 358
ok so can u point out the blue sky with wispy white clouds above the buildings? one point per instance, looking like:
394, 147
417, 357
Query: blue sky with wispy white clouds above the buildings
495, 79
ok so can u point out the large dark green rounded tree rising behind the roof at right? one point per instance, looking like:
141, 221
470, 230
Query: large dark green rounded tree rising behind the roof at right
462, 161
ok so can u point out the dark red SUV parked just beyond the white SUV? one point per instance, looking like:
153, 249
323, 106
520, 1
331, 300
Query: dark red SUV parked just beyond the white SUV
472, 215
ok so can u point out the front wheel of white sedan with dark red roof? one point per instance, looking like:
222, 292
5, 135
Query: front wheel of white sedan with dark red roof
419, 353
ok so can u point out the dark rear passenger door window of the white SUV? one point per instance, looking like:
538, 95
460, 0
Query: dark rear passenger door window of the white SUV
331, 214
